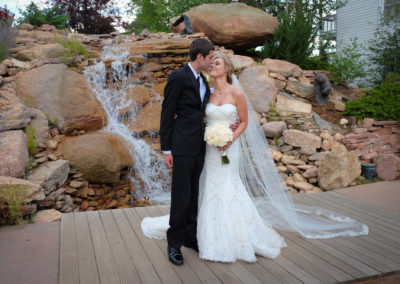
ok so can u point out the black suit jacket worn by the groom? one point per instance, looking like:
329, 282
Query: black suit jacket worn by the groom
183, 135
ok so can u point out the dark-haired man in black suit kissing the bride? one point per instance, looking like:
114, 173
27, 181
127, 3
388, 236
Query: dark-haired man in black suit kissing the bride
182, 142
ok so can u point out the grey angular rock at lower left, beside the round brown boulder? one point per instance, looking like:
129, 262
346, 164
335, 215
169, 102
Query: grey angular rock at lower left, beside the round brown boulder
50, 175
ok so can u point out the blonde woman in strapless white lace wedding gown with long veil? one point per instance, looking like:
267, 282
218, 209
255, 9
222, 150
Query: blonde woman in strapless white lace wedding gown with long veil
242, 202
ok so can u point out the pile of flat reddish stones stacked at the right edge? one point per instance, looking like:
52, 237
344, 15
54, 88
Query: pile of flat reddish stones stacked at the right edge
373, 138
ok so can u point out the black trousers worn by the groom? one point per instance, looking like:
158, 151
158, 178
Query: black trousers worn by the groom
184, 199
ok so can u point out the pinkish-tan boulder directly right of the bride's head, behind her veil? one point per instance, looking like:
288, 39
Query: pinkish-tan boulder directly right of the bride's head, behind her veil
259, 87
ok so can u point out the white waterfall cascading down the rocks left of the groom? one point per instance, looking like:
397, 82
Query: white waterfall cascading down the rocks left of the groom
148, 165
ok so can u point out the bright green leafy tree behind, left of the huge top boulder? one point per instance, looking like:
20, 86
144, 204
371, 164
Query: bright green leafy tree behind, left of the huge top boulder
154, 15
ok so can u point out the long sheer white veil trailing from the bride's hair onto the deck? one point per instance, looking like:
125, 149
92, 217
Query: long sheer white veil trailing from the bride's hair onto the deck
271, 197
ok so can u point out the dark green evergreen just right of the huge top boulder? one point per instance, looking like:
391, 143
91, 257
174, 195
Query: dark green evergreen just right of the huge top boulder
293, 40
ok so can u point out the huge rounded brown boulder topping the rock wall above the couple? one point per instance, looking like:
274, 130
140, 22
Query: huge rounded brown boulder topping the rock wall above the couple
234, 25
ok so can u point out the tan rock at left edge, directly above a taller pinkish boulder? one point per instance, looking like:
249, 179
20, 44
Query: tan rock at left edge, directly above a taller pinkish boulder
13, 112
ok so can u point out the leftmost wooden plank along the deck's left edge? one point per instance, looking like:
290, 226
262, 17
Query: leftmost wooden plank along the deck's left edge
69, 271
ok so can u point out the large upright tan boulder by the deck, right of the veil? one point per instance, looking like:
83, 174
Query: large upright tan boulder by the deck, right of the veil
339, 168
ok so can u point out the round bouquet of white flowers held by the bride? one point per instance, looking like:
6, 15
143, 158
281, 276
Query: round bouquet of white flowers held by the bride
218, 135
